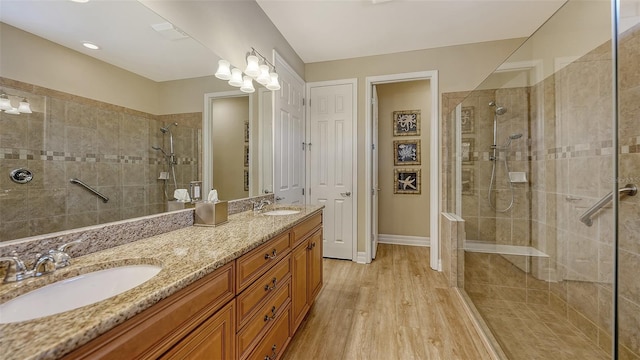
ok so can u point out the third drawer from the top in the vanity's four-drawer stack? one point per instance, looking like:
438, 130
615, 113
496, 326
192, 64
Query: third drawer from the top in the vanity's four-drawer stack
268, 313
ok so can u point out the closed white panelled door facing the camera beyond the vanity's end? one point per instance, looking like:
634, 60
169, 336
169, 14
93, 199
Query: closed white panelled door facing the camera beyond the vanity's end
331, 165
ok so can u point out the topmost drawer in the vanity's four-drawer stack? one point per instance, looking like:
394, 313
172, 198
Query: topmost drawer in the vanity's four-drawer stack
253, 264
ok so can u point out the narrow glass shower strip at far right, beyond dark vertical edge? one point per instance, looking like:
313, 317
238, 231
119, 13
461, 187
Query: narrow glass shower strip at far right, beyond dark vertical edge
628, 254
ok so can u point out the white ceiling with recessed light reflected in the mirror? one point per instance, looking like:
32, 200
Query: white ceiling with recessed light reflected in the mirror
122, 28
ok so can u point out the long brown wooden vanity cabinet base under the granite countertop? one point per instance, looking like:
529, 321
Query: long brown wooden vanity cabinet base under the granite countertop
247, 309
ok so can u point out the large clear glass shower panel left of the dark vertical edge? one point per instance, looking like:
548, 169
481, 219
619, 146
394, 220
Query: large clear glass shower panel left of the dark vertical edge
540, 130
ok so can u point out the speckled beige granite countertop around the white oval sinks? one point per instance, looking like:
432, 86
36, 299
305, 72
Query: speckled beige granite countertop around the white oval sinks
185, 255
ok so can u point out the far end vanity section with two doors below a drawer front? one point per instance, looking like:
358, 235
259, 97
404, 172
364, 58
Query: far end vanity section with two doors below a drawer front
306, 269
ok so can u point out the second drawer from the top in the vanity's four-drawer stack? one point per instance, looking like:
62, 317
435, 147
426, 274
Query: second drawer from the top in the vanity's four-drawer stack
250, 300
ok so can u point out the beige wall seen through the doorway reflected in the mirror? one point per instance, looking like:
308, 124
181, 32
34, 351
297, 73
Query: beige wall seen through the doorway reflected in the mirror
229, 116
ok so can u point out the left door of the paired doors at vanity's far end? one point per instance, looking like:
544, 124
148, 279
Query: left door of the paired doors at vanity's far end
299, 292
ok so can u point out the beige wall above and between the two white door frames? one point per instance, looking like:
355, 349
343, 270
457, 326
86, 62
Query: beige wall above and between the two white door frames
459, 68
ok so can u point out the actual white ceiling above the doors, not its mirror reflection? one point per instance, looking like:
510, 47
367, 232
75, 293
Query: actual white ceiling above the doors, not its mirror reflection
329, 30
